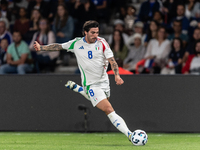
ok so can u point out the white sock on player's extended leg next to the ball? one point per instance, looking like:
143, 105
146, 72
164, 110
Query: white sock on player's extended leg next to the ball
119, 123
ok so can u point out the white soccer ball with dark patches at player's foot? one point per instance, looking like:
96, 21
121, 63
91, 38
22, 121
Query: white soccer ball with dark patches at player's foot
139, 137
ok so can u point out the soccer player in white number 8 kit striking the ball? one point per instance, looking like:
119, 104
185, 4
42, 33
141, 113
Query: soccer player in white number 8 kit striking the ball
93, 54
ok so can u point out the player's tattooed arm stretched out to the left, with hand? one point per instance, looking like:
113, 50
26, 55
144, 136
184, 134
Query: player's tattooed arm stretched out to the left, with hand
50, 47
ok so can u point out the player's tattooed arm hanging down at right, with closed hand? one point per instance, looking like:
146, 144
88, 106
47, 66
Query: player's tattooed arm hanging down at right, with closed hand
115, 69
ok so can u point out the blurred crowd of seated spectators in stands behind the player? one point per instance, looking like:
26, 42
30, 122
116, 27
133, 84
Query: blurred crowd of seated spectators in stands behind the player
146, 37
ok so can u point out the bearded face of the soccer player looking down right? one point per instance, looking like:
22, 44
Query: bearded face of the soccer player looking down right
91, 35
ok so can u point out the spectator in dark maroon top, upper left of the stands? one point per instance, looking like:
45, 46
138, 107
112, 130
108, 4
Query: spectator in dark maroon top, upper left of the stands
23, 23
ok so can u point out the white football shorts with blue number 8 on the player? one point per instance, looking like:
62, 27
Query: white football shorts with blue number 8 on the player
98, 92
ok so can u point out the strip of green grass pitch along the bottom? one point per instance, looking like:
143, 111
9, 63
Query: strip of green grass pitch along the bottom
94, 141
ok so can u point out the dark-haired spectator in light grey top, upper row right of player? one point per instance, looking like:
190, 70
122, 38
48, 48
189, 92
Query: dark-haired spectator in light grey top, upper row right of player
129, 20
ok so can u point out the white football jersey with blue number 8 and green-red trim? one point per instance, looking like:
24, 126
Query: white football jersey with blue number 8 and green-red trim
91, 59
